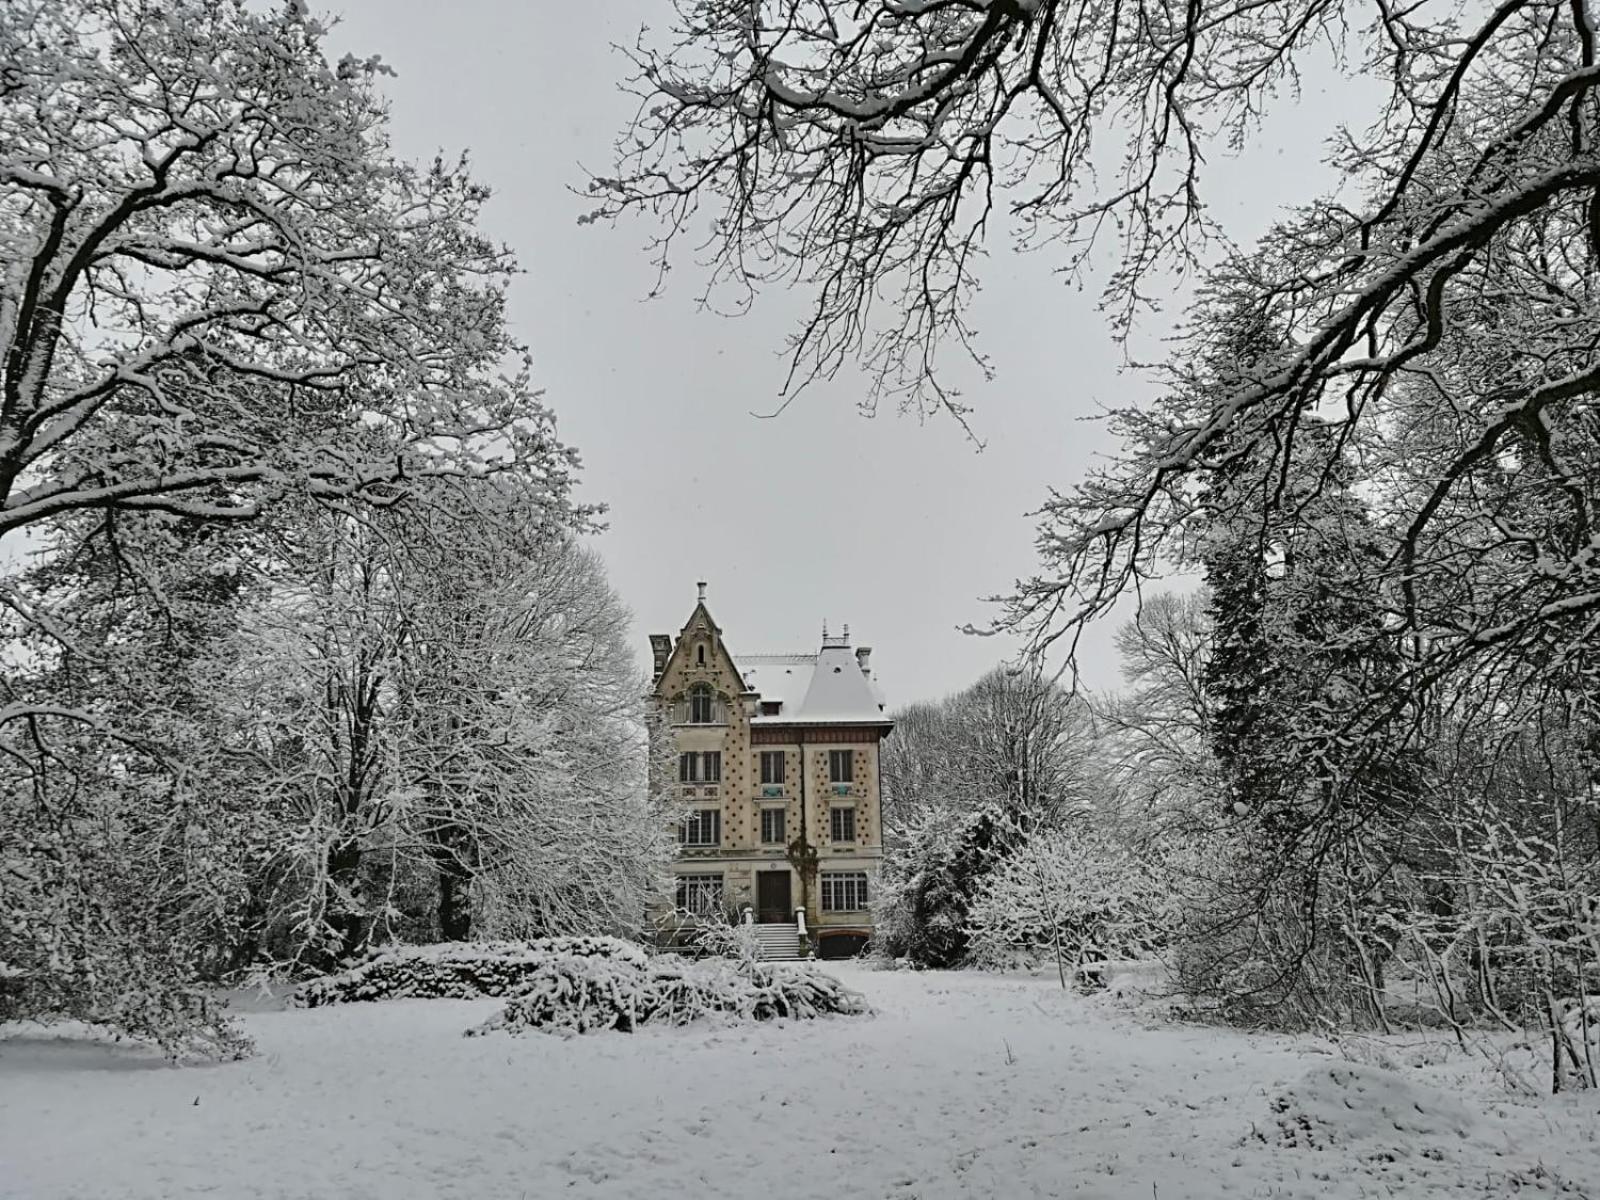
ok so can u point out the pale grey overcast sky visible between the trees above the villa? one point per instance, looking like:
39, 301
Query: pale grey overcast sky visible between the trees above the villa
887, 524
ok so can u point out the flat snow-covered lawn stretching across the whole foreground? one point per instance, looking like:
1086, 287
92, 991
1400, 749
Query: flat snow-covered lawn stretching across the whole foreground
961, 1086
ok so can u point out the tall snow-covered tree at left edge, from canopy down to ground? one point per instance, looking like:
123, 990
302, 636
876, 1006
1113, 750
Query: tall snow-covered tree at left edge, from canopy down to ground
220, 294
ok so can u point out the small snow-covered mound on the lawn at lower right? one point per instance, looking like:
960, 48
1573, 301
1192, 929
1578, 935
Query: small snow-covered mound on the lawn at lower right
1378, 1113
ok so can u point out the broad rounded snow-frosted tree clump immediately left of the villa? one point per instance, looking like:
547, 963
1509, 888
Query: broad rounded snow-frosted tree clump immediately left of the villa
441, 708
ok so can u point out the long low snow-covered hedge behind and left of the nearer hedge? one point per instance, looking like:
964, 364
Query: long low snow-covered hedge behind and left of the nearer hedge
460, 970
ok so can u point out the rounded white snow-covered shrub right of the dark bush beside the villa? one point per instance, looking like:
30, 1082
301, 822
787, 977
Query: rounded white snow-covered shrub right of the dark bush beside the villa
1070, 898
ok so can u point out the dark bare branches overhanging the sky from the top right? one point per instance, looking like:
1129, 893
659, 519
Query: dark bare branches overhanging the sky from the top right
1438, 329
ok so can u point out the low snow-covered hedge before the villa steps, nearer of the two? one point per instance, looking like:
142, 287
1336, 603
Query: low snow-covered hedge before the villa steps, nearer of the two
574, 994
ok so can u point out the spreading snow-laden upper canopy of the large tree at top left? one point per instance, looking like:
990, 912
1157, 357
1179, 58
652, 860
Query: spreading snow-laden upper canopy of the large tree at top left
217, 282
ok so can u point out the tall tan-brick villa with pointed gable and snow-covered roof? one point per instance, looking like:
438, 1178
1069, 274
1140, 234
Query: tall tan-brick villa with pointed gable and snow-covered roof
778, 762
